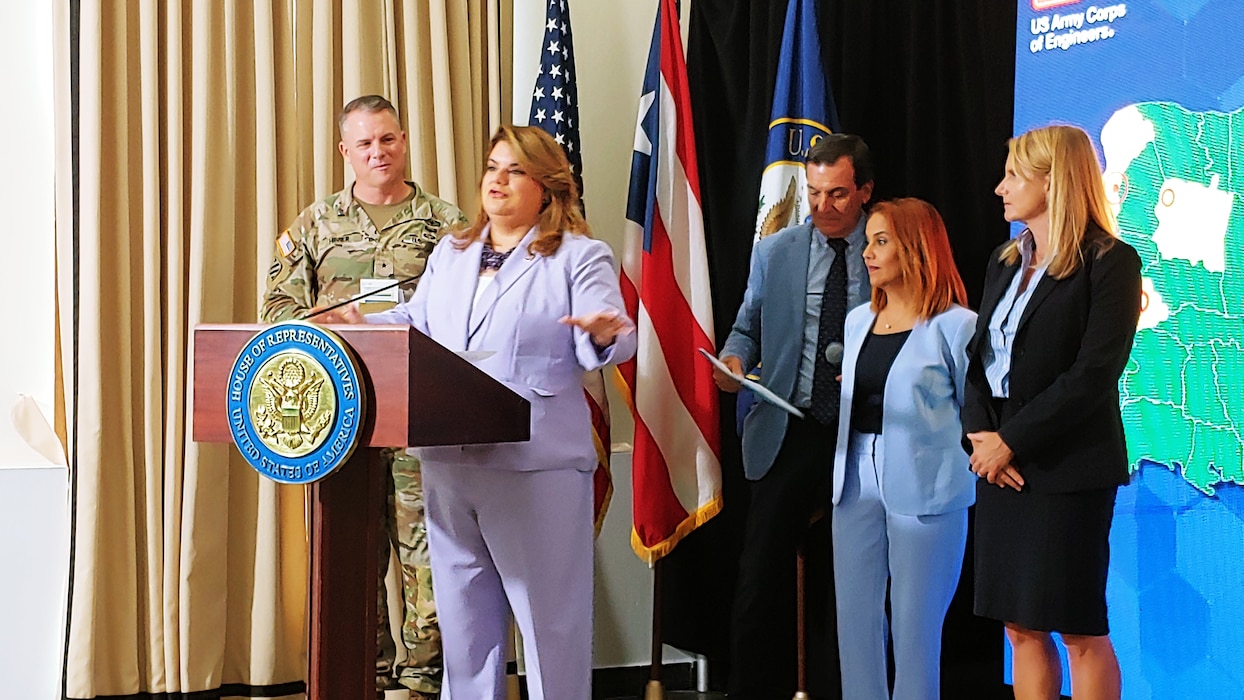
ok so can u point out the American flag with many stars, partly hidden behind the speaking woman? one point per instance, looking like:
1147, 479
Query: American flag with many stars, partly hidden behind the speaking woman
555, 110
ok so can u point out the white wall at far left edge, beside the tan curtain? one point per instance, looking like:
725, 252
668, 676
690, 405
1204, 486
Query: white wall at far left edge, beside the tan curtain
34, 509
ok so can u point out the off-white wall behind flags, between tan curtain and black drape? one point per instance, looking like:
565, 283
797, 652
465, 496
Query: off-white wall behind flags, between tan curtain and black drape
611, 48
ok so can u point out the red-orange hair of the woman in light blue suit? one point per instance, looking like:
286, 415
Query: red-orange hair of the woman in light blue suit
925, 258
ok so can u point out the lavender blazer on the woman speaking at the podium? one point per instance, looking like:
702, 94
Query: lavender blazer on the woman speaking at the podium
534, 354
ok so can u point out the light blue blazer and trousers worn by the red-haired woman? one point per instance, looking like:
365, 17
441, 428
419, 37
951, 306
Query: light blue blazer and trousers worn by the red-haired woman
901, 509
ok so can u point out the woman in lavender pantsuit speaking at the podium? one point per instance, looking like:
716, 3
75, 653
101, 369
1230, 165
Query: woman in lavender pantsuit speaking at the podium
511, 525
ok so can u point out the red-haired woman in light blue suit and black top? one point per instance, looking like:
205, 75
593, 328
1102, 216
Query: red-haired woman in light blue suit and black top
901, 478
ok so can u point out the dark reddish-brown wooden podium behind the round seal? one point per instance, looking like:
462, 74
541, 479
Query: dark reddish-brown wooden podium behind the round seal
419, 395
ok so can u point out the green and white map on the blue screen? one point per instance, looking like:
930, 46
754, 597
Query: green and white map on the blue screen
1176, 180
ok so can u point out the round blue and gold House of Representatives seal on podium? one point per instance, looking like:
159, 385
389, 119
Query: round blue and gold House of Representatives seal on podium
295, 402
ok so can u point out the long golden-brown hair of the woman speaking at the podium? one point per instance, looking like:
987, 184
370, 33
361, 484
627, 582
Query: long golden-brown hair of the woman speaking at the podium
544, 161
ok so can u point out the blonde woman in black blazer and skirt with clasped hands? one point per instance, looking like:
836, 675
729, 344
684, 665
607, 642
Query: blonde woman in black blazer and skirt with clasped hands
1042, 417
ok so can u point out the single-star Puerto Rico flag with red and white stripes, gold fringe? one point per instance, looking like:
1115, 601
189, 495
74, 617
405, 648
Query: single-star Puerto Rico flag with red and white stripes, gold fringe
677, 467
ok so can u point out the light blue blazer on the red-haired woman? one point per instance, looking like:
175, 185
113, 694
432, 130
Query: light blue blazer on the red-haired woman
926, 469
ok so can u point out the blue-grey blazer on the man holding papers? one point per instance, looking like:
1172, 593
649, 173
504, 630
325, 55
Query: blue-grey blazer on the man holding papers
769, 330
